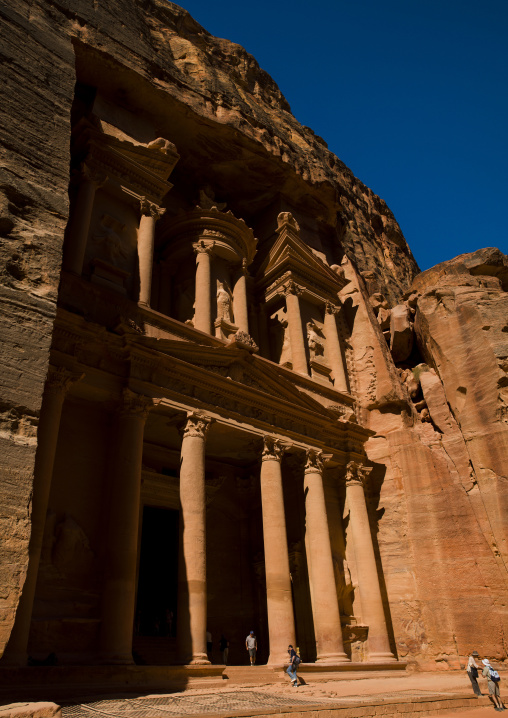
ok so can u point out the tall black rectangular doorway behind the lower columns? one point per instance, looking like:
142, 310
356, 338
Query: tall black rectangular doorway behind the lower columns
158, 573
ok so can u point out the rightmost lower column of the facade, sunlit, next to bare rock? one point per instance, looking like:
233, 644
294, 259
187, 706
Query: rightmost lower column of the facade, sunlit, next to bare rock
368, 579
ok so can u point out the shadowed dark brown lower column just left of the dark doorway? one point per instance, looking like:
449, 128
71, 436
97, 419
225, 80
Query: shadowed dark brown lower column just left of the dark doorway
121, 544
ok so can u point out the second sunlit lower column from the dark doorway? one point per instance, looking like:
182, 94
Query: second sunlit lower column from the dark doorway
281, 623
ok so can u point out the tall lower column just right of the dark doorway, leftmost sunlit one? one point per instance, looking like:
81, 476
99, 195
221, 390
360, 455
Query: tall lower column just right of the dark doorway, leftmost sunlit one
192, 602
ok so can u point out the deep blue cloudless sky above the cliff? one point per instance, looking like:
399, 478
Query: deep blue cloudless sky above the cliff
412, 95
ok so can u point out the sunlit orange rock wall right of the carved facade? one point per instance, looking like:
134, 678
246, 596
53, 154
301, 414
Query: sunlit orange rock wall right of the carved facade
444, 491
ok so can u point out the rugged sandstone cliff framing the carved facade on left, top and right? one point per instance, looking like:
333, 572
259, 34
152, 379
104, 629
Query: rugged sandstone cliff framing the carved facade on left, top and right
428, 359
